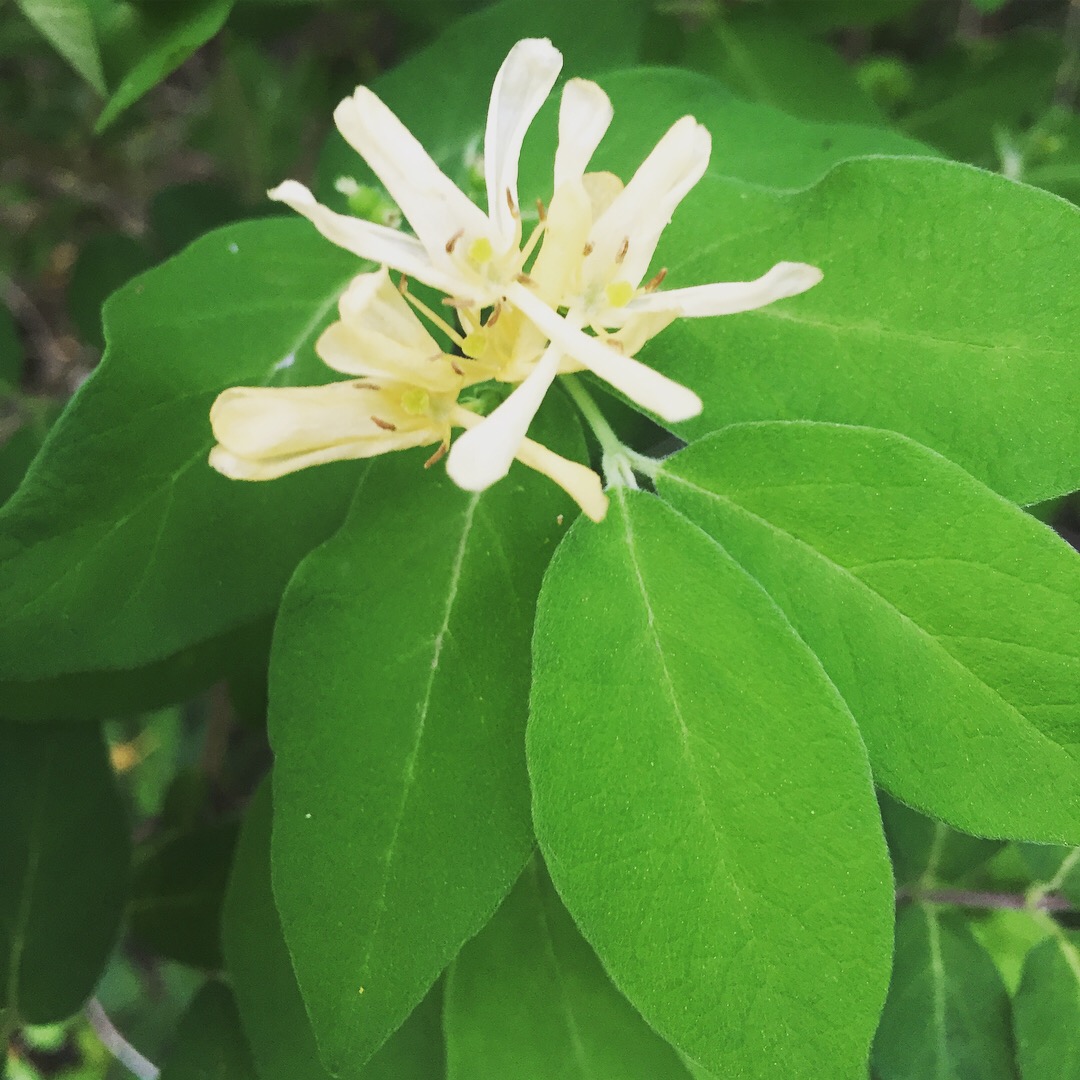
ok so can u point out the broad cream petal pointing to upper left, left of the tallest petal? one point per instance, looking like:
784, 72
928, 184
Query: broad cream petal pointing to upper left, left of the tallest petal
435, 207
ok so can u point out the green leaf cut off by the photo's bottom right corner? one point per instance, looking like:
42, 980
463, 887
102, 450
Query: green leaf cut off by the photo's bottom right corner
1047, 1011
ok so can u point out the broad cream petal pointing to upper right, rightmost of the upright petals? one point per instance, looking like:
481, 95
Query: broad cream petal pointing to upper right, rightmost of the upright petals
644, 208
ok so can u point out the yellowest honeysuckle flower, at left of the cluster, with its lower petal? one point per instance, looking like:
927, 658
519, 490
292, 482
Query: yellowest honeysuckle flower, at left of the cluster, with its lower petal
404, 394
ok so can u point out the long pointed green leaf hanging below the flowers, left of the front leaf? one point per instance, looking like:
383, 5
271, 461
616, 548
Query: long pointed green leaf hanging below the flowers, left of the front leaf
399, 691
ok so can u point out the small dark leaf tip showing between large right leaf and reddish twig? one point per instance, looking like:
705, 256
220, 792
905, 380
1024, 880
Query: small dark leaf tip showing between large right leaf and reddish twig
927, 853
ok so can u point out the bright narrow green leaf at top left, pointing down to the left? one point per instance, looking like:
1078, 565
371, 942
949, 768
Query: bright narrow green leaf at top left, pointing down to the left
146, 43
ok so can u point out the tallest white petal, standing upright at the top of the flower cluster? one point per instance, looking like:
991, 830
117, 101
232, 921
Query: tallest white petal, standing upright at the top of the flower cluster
522, 86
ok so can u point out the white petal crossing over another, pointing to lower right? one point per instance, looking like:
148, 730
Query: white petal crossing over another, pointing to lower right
669, 400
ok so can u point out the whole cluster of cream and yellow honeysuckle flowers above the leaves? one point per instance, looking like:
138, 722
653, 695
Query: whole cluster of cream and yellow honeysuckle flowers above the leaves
568, 298
